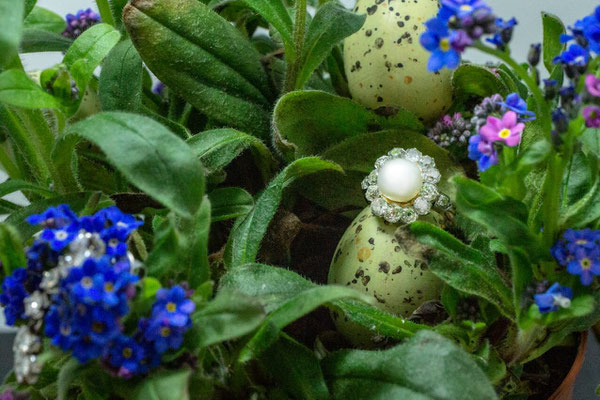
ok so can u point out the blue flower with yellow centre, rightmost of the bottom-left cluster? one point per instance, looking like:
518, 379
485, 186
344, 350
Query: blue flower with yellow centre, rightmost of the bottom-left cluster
174, 305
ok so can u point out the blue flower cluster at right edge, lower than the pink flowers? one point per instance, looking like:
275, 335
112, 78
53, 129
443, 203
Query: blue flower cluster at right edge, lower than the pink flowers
579, 251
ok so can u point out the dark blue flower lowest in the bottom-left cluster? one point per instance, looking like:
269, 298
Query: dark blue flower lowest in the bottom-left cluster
127, 356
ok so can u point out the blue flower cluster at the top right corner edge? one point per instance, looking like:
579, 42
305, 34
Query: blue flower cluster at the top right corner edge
584, 38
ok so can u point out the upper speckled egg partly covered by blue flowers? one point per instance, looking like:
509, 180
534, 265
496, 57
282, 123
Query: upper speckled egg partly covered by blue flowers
387, 66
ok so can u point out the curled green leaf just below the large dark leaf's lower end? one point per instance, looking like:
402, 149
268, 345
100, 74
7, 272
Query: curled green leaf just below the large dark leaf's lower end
217, 148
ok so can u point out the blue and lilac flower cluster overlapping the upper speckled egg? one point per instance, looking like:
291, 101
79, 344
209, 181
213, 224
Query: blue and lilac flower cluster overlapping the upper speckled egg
458, 24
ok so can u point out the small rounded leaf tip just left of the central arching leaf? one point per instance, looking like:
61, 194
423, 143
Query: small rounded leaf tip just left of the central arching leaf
230, 203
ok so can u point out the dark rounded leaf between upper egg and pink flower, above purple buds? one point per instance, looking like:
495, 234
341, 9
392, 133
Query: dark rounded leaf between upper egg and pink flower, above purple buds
470, 79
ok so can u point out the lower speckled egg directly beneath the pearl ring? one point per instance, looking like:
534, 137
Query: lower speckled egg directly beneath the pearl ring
377, 258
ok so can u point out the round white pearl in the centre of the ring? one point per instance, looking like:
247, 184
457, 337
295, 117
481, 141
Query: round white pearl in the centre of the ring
400, 180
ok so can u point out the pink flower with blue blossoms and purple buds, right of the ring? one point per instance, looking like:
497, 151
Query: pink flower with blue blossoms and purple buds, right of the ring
504, 124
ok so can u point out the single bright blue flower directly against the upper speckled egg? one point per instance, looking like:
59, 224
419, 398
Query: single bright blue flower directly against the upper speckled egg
437, 40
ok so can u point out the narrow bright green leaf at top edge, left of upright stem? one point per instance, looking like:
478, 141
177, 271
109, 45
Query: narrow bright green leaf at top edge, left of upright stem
276, 14
